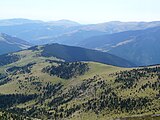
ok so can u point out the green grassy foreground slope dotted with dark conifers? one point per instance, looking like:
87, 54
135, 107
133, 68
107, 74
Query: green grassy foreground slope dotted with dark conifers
103, 92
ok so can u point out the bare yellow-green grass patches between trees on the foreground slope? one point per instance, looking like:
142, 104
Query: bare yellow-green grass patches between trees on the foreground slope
101, 70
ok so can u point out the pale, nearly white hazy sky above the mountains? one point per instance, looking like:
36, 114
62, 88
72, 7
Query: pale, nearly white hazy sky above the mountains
83, 11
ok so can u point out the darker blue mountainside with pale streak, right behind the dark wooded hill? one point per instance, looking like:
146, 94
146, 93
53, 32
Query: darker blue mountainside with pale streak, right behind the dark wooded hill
140, 46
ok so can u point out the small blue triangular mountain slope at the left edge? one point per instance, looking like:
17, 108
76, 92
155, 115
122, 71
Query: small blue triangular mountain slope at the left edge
11, 44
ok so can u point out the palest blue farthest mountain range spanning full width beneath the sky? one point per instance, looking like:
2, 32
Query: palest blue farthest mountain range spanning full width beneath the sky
66, 31
